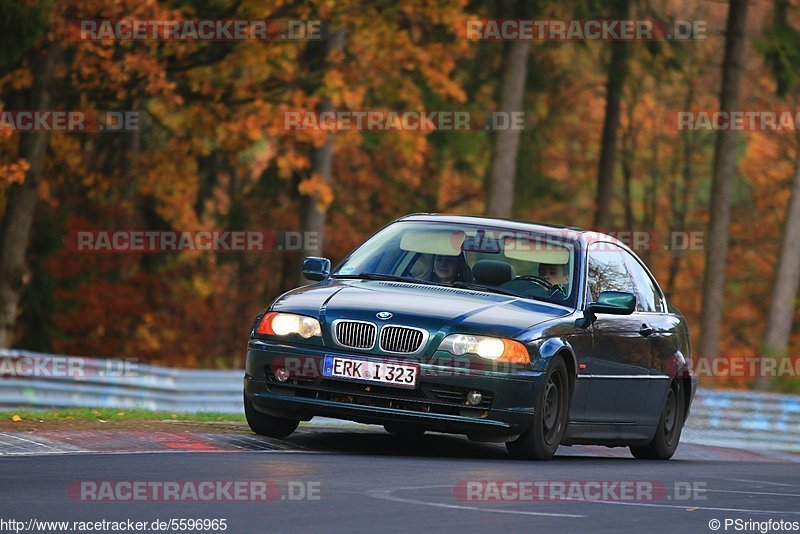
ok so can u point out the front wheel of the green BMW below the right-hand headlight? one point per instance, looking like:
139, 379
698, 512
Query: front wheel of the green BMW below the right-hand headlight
543, 436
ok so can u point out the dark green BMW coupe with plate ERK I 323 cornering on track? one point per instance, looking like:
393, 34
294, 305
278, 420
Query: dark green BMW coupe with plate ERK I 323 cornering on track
528, 334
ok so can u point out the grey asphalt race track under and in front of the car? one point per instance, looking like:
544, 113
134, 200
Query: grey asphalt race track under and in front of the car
363, 480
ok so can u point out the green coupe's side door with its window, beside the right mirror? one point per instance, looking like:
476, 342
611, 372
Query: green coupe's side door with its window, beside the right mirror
620, 365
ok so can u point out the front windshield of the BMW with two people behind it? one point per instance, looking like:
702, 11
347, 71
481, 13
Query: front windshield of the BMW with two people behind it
469, 256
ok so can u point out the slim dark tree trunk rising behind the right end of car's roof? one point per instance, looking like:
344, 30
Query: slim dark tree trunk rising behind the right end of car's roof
617, 69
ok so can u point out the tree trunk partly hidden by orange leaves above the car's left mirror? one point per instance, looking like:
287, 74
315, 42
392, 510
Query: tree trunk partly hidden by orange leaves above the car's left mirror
321, 159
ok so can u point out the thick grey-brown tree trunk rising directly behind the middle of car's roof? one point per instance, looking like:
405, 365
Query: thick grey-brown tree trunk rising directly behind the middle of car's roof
503, 168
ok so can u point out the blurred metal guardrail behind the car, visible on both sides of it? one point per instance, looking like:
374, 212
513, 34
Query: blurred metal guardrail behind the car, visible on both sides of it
742, 419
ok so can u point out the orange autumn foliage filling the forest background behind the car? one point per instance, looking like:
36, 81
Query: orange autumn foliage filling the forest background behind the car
213, 154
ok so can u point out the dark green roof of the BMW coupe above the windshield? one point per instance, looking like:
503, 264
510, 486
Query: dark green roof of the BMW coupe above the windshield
569, 233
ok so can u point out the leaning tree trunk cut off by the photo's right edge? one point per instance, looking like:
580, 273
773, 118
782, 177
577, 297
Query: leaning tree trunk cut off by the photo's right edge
787, 282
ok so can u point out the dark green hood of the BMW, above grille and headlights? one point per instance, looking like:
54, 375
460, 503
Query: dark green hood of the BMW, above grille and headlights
435, 308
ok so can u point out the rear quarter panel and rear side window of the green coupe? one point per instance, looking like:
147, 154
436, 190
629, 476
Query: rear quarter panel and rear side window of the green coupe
663, 339
